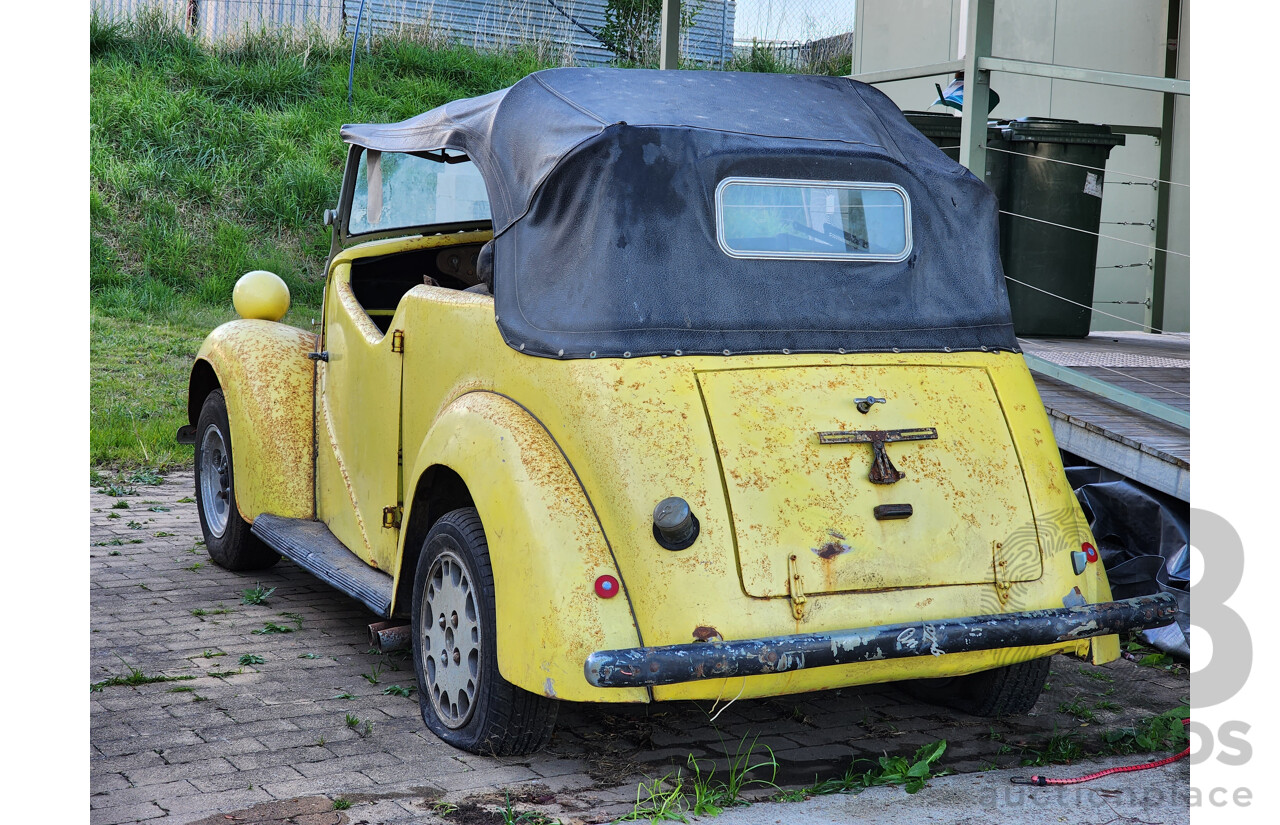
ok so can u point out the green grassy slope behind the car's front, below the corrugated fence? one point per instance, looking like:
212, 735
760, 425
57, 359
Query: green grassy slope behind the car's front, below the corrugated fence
208, 163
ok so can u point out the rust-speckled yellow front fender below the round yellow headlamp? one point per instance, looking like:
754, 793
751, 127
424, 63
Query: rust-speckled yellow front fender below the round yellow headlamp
269, 383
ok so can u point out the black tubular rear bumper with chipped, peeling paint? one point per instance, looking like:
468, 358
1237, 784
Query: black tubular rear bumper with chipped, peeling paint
641, 667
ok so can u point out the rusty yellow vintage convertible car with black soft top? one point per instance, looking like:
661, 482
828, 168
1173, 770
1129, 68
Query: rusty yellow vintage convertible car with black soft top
644, 386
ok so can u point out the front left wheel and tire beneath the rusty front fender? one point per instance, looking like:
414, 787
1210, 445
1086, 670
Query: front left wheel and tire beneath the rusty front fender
227, 537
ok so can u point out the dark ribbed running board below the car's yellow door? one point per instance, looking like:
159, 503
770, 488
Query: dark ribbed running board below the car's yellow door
313, 548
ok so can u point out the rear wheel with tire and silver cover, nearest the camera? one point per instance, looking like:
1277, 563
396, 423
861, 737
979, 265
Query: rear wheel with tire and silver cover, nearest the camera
464, 699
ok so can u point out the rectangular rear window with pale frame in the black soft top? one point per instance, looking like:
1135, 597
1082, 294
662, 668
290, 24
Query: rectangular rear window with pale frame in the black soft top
761, 218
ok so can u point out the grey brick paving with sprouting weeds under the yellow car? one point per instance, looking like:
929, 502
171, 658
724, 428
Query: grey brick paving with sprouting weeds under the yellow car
278, 740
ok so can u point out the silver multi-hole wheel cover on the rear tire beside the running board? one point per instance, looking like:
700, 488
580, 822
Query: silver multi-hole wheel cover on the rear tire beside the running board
450, 631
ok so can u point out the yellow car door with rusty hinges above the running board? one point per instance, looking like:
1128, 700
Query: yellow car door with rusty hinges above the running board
359, 427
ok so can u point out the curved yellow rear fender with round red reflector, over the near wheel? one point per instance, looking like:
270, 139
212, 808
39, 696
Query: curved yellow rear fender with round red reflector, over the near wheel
546, 547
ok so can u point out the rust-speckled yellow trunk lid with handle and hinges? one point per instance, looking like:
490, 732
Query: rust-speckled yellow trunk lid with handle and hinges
793, 496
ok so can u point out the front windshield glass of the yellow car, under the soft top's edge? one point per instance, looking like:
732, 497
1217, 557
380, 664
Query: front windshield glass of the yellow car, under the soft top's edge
399, 191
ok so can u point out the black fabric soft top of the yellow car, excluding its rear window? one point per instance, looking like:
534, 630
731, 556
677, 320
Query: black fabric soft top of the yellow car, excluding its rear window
602, 187
